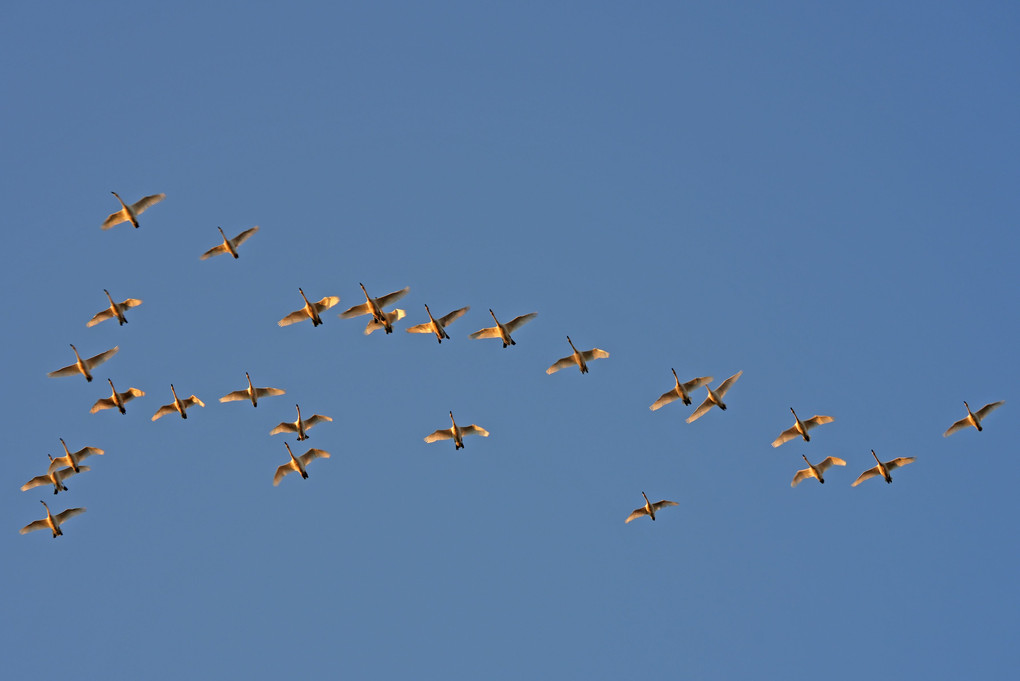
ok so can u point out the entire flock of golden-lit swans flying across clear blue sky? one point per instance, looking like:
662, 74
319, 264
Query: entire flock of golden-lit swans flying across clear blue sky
70, 464
